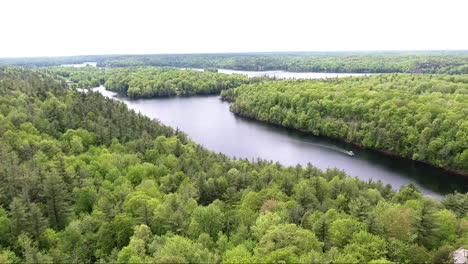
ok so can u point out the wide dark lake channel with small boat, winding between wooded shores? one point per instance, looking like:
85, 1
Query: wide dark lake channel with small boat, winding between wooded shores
208, 121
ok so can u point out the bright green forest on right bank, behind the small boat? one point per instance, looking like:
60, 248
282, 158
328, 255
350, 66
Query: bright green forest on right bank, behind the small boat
421, 117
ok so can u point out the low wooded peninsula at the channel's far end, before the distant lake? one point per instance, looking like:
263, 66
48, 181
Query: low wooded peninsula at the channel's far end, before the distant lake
147, 82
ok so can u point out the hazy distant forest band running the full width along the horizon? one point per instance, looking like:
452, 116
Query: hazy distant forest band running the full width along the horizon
446, 62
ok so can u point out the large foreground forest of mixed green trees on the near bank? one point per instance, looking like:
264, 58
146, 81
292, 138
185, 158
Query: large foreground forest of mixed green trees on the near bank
84, 180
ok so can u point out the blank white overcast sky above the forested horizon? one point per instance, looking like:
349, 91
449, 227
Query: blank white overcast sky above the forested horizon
88, 27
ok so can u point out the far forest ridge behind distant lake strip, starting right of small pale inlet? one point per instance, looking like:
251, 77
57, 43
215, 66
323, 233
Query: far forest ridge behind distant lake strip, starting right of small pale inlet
343, 63
